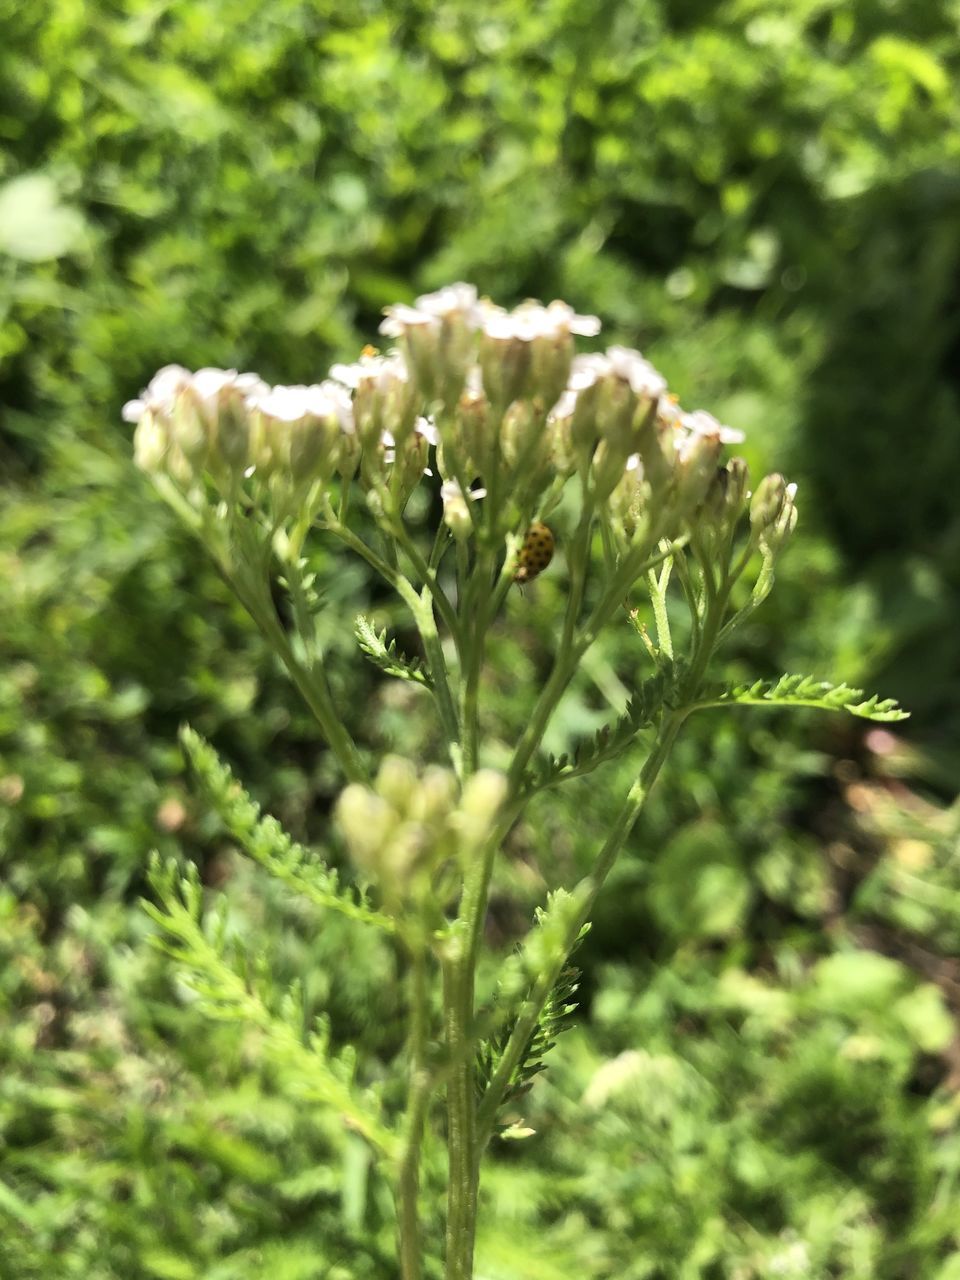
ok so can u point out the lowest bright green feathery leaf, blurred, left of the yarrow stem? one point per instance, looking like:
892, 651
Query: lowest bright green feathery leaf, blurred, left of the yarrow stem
232, 985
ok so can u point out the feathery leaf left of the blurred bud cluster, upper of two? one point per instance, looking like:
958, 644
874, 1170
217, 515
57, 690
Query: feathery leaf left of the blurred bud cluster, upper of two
266, 840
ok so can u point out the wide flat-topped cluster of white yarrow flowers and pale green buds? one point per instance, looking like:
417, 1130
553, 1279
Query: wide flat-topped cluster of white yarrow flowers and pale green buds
501, 396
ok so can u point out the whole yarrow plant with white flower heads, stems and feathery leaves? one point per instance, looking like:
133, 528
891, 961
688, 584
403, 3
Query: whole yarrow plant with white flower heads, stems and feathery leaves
496, 415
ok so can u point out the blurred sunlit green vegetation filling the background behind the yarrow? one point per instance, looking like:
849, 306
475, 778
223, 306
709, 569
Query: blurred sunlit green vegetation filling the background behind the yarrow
765, 196
